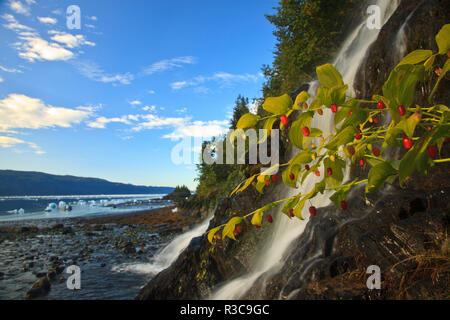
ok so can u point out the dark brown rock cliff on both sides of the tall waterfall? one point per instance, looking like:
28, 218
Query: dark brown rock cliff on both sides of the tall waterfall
403, 231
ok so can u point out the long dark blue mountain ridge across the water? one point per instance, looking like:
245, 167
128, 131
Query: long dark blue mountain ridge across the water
27, 183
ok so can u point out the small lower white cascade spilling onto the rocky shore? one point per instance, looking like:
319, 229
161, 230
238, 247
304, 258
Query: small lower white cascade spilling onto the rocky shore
164, 258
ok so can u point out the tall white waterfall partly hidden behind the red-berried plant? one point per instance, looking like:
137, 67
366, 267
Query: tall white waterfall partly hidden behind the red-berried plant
272, 254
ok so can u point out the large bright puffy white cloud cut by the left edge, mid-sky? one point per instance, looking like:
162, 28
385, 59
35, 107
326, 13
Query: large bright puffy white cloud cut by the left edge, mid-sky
21, 111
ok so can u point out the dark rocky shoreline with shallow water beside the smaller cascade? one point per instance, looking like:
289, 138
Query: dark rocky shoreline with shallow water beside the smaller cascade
35, 253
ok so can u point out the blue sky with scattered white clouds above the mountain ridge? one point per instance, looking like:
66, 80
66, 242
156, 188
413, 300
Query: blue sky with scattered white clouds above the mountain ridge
112, 99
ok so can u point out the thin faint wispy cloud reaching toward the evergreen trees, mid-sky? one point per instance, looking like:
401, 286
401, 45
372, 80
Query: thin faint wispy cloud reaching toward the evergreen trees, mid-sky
223, 79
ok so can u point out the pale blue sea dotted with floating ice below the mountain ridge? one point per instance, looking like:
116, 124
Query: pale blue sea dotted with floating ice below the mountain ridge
44, 207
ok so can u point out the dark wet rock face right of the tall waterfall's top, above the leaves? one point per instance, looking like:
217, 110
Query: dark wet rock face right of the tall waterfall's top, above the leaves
426, 18
